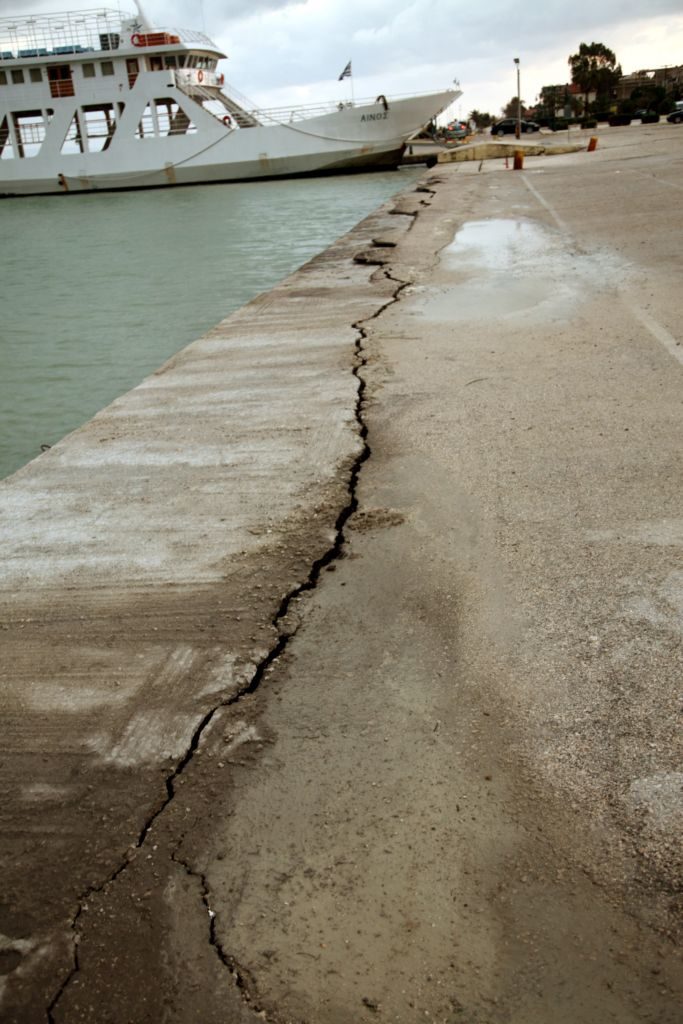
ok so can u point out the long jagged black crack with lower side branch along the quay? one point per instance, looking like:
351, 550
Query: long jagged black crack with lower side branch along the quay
242, 977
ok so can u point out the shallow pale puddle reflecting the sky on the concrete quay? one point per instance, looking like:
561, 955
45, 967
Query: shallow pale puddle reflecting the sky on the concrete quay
508, 269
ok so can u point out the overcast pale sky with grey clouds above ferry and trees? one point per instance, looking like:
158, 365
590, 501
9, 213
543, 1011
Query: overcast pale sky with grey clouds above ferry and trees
282, 52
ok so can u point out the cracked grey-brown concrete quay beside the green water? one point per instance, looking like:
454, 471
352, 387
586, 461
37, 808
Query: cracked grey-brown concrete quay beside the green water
343, 658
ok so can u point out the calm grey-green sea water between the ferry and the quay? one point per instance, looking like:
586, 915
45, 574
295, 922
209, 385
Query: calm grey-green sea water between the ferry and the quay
100, 290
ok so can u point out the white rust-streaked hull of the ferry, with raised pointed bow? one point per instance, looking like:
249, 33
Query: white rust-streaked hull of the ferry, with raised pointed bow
352, 139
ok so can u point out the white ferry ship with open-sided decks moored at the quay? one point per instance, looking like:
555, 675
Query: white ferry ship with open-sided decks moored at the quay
101, 100
